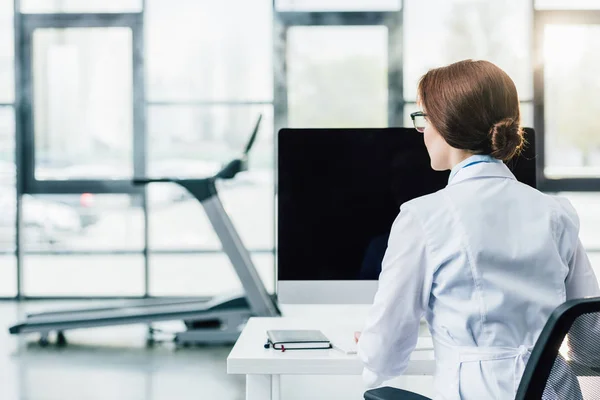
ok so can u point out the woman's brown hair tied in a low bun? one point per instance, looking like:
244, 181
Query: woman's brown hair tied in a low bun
475, 107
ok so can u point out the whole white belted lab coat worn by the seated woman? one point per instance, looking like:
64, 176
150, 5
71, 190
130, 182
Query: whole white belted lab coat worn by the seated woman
485, 261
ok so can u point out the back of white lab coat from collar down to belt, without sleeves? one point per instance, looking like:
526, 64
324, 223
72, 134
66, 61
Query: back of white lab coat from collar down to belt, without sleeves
505, 247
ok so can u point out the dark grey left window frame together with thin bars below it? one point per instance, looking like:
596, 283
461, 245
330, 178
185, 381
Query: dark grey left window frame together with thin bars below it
26, 182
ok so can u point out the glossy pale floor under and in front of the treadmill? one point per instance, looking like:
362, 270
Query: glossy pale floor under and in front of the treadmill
108, 363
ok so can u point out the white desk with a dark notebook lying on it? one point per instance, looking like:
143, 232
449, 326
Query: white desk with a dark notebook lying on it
264, 367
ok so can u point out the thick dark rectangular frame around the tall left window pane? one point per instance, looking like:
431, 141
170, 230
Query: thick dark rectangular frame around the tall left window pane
25, 129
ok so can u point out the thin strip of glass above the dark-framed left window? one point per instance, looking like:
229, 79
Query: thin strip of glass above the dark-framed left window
73, 6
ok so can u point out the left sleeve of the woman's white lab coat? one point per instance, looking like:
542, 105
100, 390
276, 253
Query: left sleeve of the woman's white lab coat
392, 326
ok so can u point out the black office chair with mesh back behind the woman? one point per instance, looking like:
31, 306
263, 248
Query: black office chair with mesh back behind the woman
564, 364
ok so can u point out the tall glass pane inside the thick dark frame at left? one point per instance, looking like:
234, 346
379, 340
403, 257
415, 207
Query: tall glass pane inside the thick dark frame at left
83, 103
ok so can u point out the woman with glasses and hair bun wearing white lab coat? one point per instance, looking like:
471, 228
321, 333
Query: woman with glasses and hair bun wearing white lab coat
484, 260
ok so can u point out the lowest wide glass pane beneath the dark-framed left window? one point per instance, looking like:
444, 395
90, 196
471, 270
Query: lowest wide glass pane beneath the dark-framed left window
83, 275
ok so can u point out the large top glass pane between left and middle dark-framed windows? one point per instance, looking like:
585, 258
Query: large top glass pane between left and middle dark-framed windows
209, 50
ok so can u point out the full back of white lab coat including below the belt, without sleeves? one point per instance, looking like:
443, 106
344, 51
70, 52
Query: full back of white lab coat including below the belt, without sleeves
501, 253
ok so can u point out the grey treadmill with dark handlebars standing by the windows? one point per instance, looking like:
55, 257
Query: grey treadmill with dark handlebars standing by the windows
216, 321
